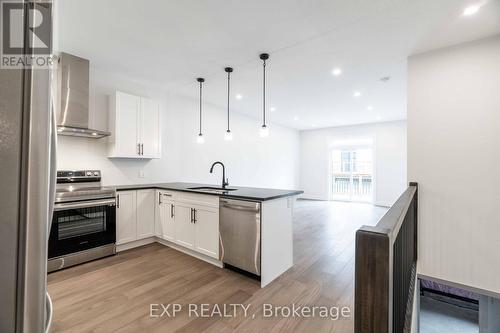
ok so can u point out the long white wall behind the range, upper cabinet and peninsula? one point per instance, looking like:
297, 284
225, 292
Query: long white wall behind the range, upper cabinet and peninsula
272, 162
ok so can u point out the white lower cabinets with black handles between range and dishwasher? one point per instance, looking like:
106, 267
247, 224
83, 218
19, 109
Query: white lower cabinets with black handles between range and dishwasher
188, 220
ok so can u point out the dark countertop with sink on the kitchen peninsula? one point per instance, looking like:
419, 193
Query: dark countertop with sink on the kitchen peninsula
243, 193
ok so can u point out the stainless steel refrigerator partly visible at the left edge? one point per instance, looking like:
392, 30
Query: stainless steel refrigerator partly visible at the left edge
27, 171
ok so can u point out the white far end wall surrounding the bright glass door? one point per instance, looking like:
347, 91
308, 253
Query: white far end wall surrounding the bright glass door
389, 140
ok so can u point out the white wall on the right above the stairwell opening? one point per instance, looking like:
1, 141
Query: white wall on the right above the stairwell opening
454, 155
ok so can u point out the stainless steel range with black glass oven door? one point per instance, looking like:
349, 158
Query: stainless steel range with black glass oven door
84, 221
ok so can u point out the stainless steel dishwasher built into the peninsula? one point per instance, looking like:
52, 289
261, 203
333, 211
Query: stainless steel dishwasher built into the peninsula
240, 234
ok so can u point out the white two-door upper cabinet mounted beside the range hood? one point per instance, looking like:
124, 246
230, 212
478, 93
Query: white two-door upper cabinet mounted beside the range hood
134, 123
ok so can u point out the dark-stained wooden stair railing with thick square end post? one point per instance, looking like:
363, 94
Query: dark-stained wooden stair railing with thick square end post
386, 256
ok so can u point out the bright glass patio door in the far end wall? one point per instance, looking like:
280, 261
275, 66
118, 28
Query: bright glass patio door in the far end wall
351, 175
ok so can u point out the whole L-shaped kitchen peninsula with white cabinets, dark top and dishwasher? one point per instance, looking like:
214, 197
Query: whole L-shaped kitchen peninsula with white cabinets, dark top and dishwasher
246, 229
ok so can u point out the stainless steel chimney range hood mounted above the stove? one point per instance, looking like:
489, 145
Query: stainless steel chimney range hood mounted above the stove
73, 117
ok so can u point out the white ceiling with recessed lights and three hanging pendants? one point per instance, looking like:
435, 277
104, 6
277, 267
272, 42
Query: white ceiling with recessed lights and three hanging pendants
170, 43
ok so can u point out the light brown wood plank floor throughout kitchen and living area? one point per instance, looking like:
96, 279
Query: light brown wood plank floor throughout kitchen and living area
114, 294
